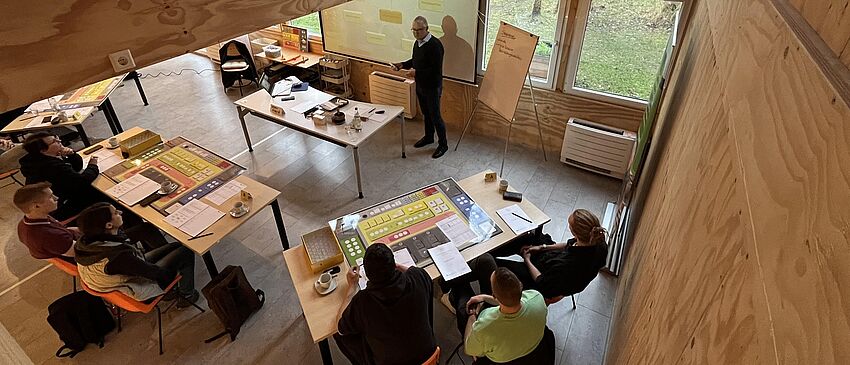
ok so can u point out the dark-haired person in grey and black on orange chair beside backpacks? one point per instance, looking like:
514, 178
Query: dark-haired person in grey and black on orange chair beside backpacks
107, 261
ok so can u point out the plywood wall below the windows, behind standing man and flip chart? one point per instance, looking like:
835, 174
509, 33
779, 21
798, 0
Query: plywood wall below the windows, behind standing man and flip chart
554, 107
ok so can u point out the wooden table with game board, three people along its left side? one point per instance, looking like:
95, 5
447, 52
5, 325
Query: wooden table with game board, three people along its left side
262, 196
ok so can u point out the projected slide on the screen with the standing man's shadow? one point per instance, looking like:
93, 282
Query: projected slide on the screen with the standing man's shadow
379, 30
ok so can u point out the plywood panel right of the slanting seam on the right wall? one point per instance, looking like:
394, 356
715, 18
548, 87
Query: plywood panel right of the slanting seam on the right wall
793, 137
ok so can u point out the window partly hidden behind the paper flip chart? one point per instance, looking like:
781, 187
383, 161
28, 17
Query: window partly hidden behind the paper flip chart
540, 17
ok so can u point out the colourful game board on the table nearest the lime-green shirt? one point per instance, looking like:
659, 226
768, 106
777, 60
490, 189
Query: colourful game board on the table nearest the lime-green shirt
419, 220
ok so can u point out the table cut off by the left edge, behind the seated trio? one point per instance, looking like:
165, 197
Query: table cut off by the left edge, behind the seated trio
21, 124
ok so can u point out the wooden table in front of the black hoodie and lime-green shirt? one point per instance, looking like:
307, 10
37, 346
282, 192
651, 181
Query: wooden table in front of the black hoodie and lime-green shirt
321, 311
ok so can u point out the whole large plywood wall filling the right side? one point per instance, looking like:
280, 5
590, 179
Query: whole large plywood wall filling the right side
742, 253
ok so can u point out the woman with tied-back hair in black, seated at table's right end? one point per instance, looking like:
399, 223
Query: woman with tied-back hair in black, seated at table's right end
567, 268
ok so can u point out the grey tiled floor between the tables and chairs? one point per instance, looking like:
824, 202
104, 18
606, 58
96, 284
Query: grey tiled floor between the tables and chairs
318, 184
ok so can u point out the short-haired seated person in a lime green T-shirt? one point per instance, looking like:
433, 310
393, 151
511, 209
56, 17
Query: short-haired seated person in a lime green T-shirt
510, 330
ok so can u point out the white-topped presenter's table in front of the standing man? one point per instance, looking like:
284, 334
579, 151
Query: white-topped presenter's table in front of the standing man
259, 103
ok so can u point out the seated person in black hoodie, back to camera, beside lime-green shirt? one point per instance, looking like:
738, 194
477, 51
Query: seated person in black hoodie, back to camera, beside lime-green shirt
389, 322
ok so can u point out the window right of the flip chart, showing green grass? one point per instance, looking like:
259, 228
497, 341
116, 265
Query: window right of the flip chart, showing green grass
618, 47
